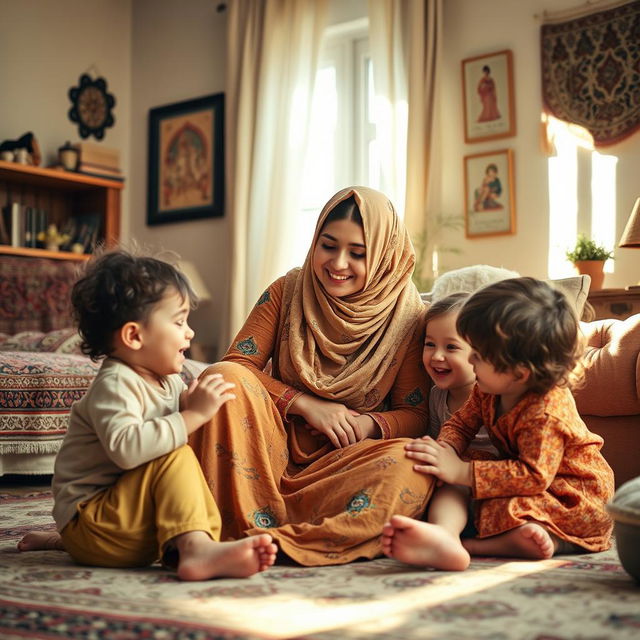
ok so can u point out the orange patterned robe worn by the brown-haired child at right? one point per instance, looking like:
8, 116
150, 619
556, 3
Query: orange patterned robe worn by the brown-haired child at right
550, 468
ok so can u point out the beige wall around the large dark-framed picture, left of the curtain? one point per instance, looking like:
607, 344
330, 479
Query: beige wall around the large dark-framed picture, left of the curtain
178, 54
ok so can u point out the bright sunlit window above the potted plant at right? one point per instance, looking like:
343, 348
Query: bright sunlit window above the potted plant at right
582, 195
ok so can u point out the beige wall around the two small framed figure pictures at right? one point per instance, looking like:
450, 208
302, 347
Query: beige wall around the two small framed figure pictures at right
475, 28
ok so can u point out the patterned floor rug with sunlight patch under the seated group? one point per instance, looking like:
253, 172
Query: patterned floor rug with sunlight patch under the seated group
45, 595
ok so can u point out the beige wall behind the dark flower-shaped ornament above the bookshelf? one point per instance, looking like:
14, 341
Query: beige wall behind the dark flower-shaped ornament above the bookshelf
44, 48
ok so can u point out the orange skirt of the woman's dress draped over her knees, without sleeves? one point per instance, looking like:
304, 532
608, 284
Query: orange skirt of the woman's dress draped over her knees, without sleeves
322, 505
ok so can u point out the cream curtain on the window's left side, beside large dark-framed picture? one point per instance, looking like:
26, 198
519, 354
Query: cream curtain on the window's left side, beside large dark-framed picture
272, 49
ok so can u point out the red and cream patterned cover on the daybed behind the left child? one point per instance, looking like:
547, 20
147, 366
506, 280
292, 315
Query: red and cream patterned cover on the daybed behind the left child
36, 394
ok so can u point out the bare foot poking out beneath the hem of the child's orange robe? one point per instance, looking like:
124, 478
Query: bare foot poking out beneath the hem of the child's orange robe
529, 540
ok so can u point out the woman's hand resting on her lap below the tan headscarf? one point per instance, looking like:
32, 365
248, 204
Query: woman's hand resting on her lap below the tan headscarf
334, 420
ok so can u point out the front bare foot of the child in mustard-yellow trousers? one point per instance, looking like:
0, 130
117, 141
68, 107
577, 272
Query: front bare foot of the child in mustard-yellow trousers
201, 558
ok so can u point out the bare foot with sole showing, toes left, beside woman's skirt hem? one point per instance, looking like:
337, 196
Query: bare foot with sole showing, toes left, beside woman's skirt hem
423, 544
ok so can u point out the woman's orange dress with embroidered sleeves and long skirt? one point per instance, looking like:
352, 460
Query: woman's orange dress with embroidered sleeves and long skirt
268, 473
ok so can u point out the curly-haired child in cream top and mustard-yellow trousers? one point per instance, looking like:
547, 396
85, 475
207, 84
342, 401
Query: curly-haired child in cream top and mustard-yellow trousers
128, 490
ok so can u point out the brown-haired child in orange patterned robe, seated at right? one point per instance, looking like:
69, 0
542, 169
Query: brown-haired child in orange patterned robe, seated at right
547, 492
